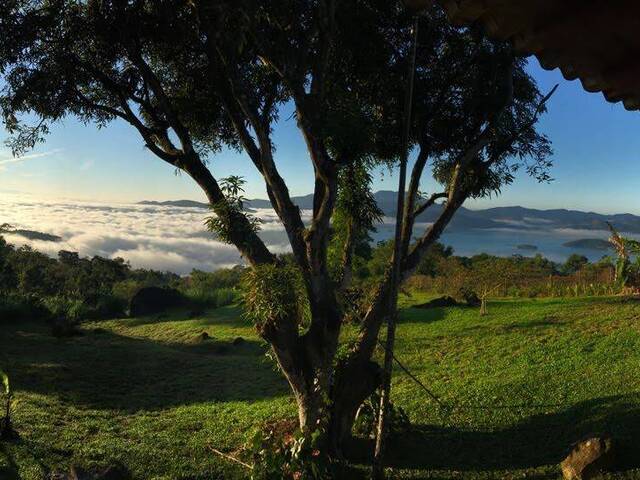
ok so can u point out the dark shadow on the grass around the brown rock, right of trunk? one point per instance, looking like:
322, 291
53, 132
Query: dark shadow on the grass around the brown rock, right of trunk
541, 440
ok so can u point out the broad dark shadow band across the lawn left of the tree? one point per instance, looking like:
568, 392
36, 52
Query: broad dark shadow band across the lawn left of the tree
109, 371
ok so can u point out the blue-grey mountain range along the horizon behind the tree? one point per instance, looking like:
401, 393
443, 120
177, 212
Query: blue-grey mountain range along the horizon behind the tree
492, 218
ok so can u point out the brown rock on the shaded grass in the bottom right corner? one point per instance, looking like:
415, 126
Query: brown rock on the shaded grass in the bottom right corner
588, 458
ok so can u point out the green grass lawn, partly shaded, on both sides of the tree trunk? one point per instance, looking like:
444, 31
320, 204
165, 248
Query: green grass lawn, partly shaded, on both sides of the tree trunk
525, 381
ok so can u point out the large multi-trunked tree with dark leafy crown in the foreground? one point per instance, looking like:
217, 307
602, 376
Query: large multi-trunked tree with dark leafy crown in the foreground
194, 77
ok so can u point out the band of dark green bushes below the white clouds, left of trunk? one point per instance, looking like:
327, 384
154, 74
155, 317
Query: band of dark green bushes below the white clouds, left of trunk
76, 289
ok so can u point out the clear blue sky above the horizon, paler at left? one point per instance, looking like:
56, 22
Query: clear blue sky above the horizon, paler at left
596, 156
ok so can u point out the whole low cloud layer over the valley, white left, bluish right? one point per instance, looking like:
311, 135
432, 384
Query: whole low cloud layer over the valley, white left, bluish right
175, 239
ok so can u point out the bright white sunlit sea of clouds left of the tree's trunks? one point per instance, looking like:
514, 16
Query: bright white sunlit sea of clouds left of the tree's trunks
148, 236
